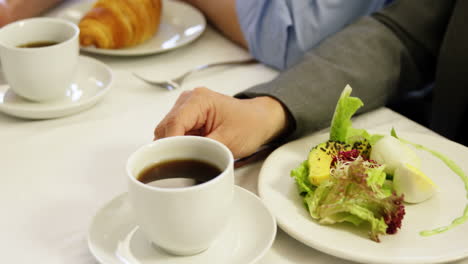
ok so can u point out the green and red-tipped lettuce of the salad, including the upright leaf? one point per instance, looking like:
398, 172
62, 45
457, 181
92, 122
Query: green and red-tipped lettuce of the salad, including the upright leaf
358, 190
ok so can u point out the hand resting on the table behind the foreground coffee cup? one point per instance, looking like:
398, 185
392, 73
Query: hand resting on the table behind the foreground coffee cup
243, 125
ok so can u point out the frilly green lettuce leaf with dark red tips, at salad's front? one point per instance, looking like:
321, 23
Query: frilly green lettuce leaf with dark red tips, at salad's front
357, 192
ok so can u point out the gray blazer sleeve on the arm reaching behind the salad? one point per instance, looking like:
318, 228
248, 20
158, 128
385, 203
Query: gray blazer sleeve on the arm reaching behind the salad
380, 57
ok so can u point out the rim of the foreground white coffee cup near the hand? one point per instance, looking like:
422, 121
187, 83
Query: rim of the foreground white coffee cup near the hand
228, 167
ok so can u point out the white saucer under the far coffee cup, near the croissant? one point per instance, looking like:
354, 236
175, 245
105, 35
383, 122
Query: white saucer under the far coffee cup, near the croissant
91, 82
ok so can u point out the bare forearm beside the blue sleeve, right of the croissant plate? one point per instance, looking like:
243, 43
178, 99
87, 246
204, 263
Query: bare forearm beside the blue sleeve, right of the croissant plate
222, 14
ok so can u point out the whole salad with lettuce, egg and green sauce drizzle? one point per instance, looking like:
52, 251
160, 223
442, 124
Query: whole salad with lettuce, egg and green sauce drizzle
346, 179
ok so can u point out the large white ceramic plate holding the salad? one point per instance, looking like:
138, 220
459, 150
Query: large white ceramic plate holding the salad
278, 191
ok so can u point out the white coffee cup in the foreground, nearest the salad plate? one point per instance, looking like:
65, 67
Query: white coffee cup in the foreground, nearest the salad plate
182, 220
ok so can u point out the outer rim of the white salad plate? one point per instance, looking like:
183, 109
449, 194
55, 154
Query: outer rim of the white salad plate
343, 254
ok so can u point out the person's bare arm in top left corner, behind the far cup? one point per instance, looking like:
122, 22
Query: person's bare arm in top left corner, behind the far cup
19, 9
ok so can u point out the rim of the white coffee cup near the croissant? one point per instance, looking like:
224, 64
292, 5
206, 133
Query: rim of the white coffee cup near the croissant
72, 25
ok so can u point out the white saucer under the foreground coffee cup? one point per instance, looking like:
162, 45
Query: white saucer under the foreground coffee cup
115, 238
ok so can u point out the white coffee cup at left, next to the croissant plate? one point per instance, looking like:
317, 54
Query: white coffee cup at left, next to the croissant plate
43, 73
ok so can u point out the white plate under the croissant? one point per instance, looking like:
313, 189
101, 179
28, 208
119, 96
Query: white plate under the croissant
180, 25
